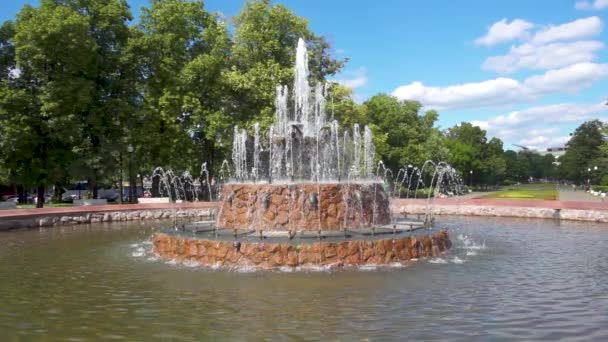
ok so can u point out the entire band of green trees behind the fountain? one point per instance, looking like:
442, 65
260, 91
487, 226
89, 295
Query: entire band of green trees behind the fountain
88, 94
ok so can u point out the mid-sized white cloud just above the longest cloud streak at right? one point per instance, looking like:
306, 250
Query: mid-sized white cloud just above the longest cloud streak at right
550, 56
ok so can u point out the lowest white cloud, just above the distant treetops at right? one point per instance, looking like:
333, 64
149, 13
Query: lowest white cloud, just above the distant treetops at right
540, 127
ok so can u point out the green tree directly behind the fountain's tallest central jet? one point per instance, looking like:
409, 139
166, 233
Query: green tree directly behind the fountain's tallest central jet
263, 56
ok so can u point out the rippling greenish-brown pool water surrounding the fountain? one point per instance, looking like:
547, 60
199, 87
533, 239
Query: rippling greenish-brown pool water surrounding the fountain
503, 279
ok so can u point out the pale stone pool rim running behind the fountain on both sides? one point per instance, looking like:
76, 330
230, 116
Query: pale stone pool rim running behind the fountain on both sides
47, 217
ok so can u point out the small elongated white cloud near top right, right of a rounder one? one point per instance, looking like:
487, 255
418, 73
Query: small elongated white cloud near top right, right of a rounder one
577, 29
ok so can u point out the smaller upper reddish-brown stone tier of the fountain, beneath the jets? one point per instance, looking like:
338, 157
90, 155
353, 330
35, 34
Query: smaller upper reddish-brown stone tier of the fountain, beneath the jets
303, 206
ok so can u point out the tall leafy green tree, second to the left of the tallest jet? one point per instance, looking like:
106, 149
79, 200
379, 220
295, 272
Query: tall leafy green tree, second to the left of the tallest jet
185, 50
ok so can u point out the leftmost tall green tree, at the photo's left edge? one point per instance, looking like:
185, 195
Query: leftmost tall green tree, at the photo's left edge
39, 108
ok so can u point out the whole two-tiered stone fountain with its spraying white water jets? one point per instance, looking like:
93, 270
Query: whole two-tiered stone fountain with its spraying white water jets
303, 195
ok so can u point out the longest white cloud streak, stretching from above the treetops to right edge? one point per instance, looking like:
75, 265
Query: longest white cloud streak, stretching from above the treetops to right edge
503, 90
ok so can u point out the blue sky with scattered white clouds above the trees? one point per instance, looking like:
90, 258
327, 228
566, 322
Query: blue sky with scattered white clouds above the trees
528, 72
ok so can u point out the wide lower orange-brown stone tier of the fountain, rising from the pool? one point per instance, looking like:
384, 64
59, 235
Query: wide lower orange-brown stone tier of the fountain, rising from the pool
269, 255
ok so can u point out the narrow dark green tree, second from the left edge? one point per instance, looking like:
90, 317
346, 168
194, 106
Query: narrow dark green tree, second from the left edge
105, 120
